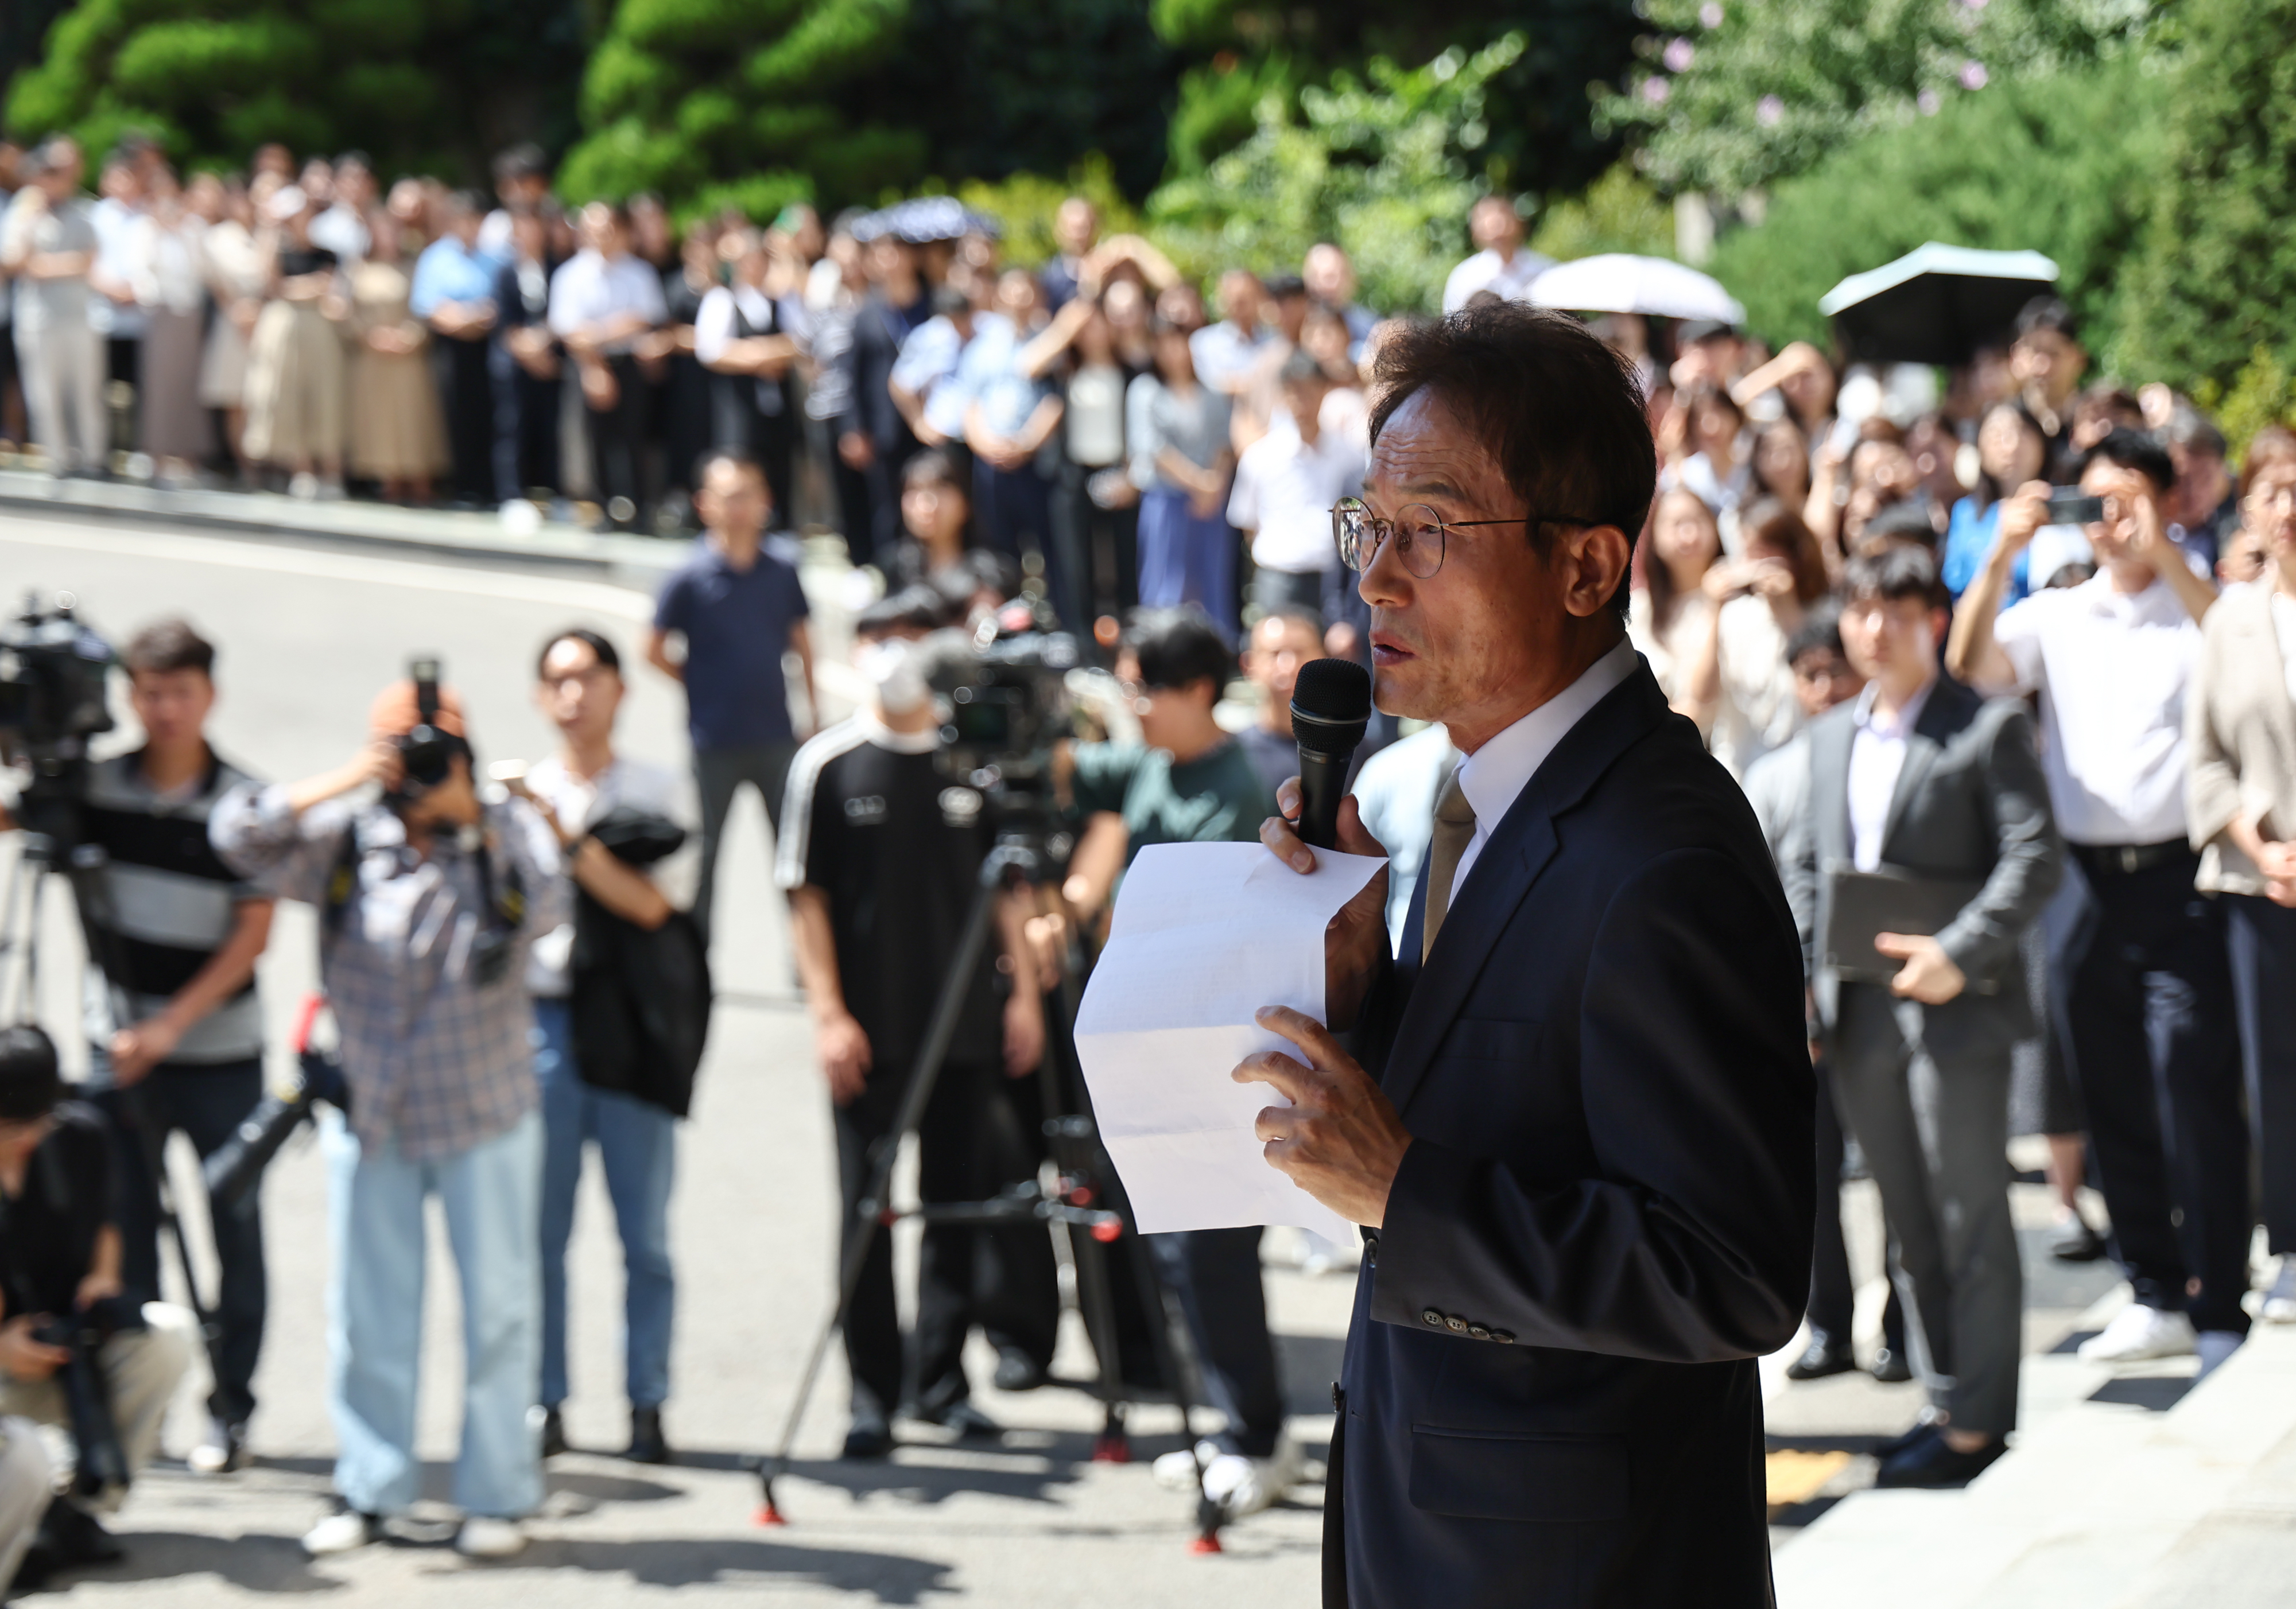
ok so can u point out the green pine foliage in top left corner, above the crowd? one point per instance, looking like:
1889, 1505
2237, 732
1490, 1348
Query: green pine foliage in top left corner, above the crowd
437, 84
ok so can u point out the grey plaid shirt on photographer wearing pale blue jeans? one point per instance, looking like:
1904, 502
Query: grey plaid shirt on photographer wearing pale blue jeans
437, 1064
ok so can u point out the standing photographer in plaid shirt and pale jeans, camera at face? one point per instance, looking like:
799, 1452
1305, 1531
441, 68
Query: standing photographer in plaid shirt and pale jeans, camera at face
428, 912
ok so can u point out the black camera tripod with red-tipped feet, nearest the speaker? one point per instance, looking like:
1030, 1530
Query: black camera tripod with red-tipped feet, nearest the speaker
1085, 1197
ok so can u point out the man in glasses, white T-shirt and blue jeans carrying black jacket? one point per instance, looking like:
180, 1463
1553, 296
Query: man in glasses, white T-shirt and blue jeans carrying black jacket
580, 687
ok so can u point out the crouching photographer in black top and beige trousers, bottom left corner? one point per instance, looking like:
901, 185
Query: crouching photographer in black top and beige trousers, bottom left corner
75, 1348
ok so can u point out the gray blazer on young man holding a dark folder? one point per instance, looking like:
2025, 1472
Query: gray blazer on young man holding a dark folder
1971, 804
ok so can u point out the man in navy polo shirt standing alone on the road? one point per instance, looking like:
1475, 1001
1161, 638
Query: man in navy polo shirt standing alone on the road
738, 612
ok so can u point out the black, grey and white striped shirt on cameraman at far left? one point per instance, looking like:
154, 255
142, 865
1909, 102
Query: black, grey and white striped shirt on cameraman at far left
169, 905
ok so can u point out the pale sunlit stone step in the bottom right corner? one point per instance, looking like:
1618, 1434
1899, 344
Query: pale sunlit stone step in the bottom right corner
2116, 1479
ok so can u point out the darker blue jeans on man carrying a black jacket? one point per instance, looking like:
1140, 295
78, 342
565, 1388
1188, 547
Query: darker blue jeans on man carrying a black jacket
639, 1151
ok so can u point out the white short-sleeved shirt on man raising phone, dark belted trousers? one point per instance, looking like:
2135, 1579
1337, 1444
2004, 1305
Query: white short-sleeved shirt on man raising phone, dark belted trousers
2113, 674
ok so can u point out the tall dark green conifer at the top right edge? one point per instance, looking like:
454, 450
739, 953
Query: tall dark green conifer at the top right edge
2217, 274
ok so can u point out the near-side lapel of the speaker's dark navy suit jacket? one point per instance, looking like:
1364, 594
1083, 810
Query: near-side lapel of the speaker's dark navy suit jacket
1505, 871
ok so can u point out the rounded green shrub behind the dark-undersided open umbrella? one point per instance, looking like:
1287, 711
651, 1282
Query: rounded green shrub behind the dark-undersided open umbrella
2058, 164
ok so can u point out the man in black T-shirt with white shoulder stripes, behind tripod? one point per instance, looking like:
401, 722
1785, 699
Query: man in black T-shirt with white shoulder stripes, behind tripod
881, 857
